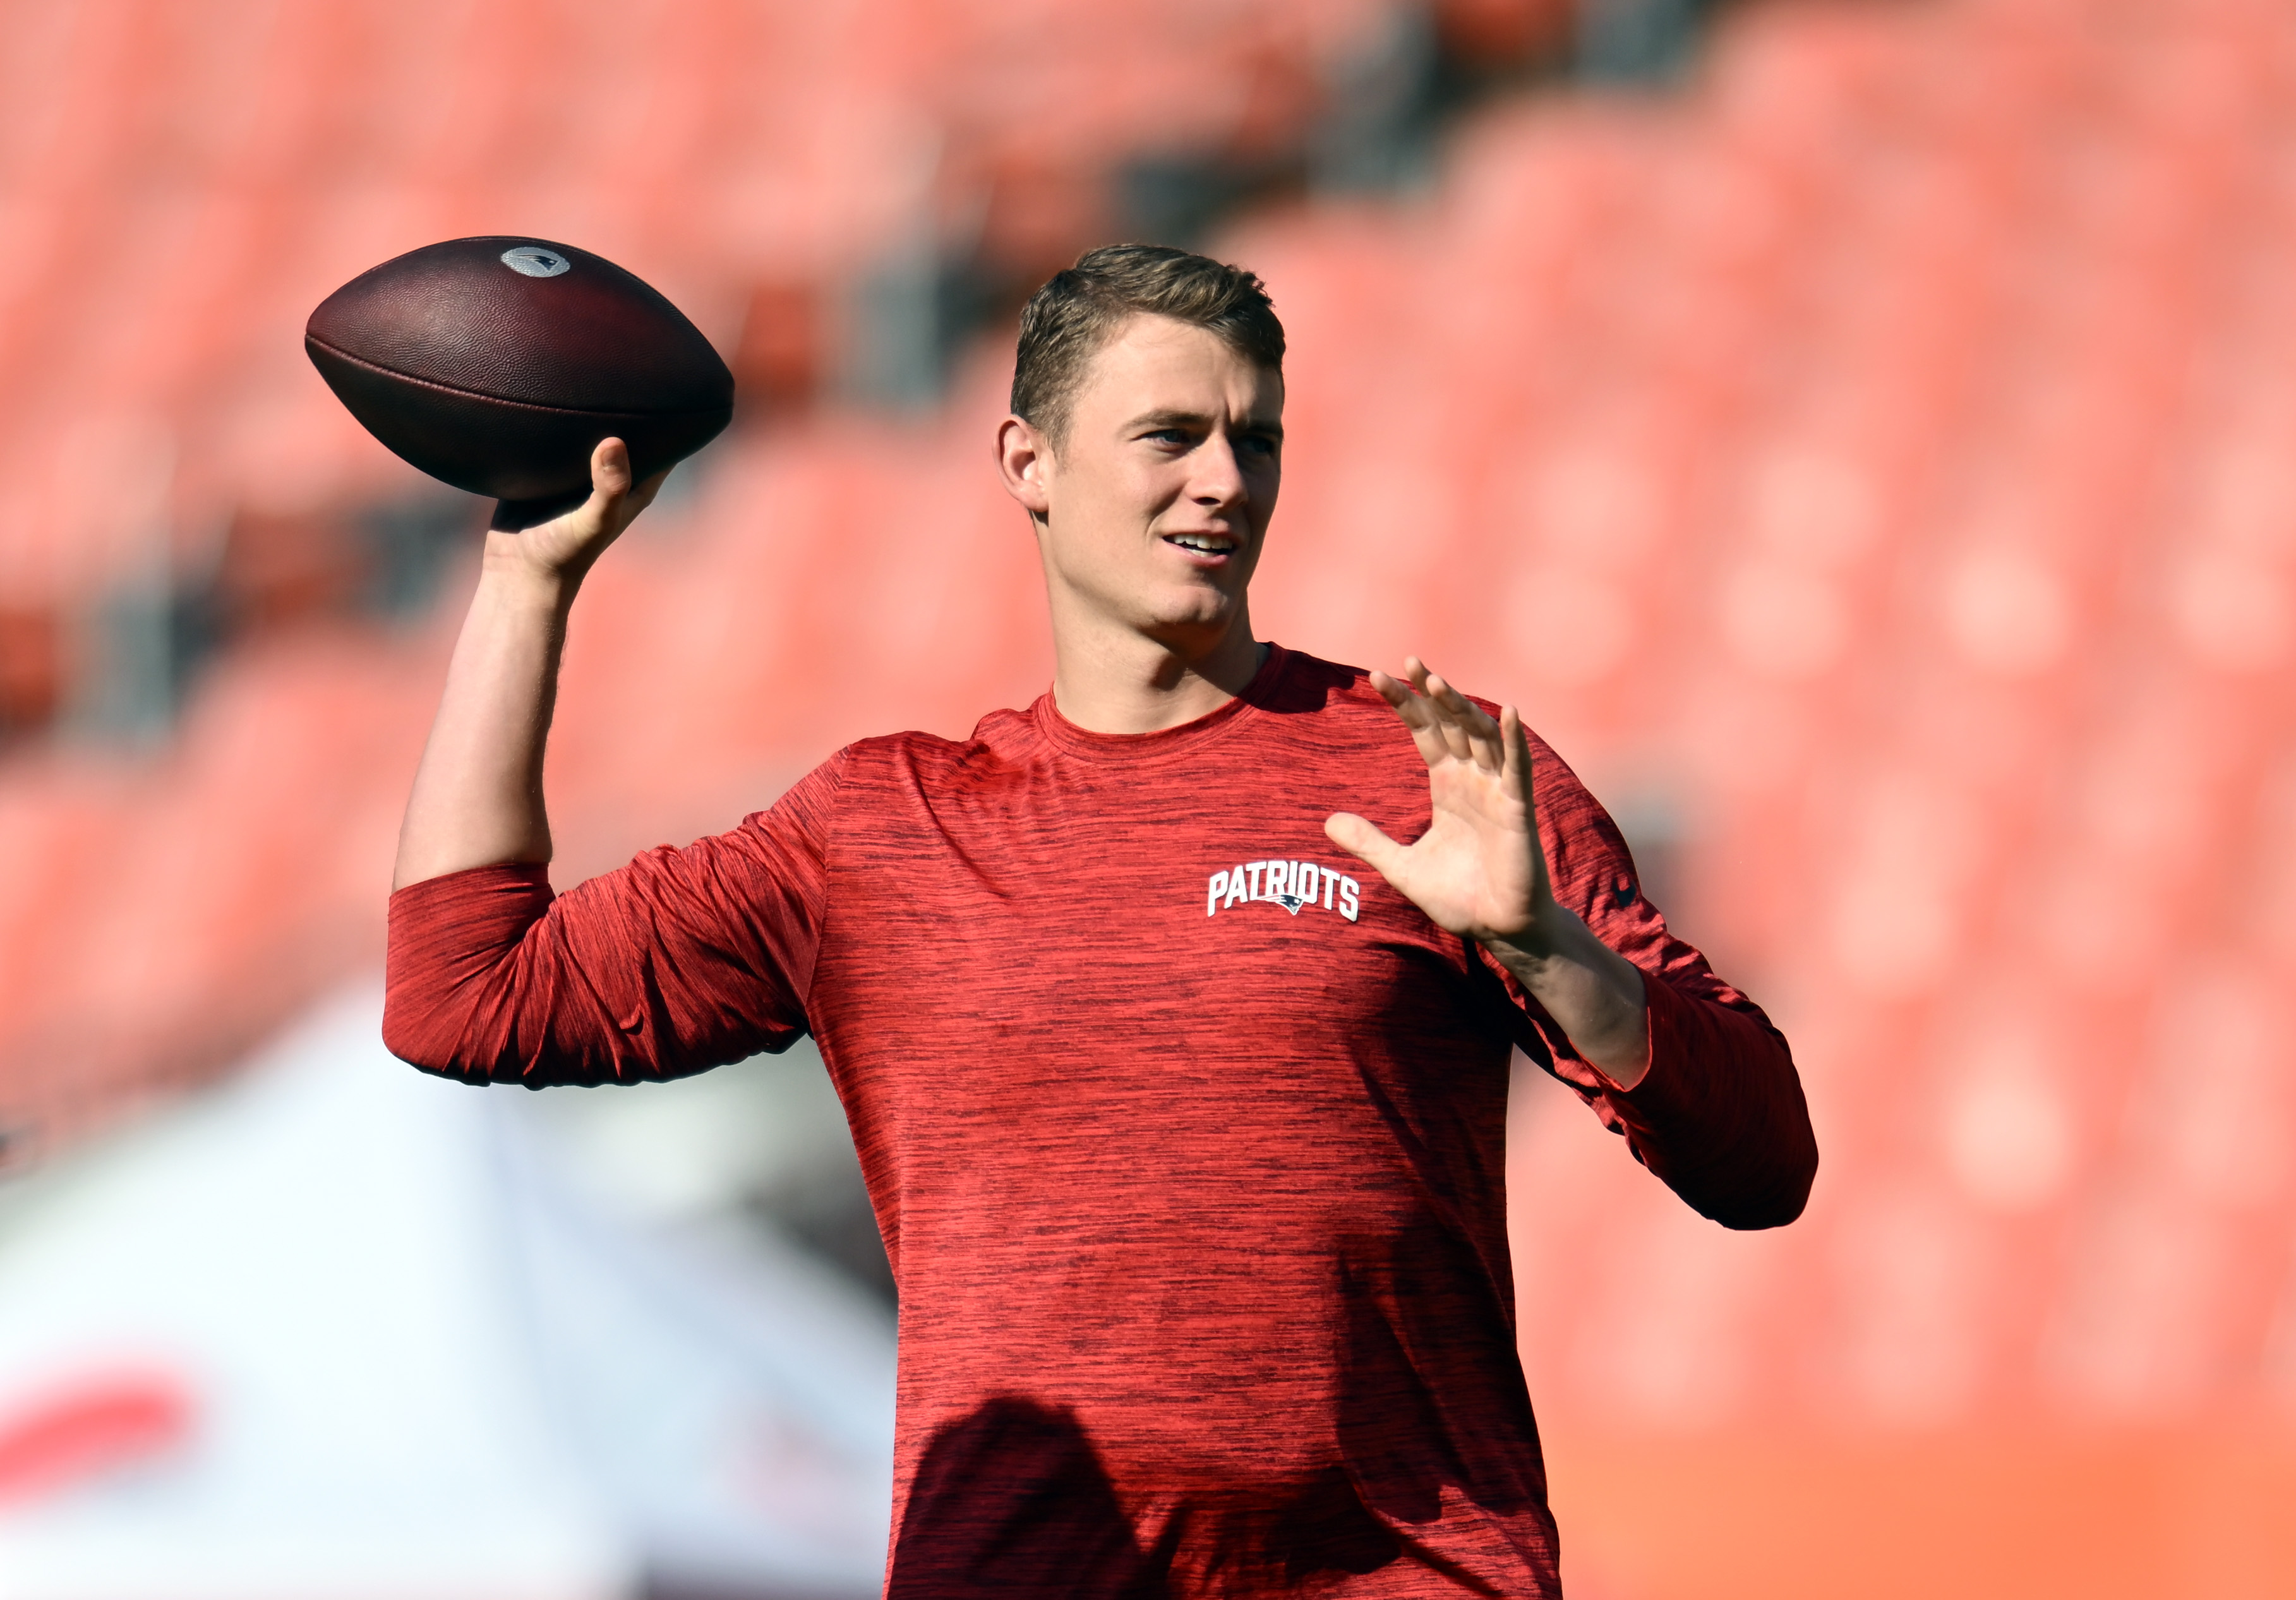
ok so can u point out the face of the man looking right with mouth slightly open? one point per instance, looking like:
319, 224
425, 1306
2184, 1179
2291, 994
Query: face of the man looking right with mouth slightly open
1154, 508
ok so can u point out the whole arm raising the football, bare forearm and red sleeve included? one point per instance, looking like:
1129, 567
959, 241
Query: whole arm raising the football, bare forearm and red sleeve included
683, 961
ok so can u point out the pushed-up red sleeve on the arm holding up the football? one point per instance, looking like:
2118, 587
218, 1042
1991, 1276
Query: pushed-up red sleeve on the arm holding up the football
683, 961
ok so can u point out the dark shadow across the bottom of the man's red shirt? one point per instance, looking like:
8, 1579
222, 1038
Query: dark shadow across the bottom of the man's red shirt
1016, 1500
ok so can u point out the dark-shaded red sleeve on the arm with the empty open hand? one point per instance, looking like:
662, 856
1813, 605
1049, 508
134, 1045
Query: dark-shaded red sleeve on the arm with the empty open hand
1721, 1112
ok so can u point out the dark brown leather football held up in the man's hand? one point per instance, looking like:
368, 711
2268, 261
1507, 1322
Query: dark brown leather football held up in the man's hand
497, 364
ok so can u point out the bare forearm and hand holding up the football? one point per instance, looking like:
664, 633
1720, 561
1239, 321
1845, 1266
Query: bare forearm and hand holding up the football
479, 791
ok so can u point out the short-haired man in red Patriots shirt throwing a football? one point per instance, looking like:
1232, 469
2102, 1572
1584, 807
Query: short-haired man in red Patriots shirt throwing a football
1186, 1131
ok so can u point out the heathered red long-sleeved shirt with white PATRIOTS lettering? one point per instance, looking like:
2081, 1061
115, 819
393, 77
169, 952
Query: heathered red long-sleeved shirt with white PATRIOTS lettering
1195, 1193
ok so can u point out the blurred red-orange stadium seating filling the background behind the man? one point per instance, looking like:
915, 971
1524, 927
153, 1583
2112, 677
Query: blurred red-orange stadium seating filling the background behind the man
1861, 433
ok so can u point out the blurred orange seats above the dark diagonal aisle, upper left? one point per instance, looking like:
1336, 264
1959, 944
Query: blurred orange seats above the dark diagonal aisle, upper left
196, 178
